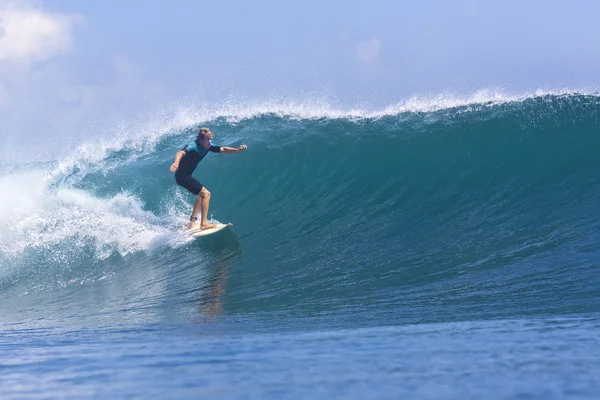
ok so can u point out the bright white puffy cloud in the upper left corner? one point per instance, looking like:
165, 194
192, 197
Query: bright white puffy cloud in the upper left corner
30, 34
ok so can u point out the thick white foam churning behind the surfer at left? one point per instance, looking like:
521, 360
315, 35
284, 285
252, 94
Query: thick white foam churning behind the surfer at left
33, 215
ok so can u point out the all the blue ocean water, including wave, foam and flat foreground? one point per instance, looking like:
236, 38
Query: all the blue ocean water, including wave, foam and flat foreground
439, 250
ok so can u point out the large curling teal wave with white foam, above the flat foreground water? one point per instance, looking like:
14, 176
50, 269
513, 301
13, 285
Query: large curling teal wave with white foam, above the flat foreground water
475, 211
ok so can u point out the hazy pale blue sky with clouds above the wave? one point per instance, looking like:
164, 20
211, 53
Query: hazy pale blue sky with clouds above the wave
69, 66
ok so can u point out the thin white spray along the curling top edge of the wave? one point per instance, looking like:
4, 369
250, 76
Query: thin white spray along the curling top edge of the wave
140, 141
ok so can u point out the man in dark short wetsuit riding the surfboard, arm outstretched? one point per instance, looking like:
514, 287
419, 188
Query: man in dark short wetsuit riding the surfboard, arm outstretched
186, 161
